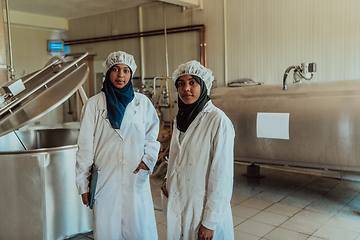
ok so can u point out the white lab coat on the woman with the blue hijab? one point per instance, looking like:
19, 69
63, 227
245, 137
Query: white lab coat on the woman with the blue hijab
123, 207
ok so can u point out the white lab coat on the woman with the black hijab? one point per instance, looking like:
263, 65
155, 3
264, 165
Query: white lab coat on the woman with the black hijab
200, 177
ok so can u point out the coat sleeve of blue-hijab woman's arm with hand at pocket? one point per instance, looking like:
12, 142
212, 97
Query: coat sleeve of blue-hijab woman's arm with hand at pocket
152, 146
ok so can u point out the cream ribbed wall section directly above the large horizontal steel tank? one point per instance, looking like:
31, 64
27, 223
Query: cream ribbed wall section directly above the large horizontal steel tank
267, 36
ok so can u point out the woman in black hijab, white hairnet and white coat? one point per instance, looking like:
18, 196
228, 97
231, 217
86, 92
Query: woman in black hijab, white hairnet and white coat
199, 180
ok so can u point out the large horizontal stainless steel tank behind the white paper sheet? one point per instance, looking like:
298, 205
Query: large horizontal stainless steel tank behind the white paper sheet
324, 124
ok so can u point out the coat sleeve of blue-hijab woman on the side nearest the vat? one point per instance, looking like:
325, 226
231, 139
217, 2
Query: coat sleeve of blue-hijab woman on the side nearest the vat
85, 153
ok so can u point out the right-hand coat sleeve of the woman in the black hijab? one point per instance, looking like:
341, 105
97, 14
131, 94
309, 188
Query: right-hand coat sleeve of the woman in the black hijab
221, 174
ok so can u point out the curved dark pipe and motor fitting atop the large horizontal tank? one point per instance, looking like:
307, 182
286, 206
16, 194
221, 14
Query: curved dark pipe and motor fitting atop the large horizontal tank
304, 71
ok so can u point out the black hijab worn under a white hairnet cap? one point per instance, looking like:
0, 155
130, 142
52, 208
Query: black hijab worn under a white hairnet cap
188, 112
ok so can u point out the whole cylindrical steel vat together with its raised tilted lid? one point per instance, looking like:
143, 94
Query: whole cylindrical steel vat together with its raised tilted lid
39, 199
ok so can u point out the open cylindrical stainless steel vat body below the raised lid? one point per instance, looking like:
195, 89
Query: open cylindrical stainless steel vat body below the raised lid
39, 199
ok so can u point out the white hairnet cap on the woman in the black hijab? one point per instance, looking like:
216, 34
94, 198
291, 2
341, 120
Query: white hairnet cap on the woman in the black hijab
195, 68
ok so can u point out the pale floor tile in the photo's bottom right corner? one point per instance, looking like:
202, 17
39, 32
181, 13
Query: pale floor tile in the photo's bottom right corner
333, 233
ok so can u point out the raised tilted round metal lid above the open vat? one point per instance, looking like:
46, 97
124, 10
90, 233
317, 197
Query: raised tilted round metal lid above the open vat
26, 99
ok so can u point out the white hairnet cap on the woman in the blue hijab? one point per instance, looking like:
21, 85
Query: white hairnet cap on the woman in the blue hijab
120, 57
